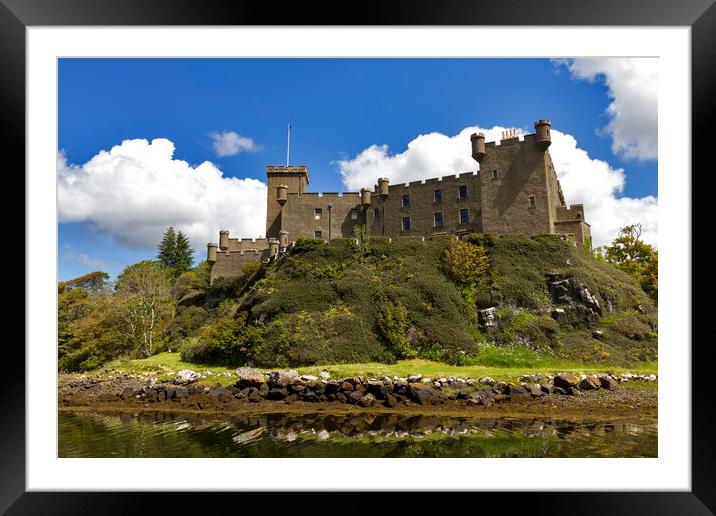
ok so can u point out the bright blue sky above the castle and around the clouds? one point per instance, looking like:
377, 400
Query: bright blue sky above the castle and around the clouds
338, 108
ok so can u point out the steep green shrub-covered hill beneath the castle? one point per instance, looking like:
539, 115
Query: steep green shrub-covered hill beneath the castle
379, 301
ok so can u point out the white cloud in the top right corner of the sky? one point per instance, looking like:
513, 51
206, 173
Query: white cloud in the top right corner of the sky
633, 89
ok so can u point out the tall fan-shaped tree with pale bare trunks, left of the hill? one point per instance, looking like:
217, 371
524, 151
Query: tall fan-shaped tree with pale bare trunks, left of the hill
144, 292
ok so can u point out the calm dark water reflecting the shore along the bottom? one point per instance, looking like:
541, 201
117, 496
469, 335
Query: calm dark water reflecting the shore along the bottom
162, 434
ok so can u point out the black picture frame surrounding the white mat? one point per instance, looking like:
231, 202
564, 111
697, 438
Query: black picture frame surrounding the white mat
700, 15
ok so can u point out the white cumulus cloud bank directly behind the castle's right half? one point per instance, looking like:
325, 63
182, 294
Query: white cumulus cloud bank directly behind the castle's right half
584, 180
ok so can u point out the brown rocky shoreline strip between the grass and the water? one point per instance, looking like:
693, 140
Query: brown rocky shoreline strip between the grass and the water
632, 400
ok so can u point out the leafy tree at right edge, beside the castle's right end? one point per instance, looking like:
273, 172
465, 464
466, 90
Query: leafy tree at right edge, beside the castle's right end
635, 257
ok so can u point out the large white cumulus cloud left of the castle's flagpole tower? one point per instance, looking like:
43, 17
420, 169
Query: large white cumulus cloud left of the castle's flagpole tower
137, 189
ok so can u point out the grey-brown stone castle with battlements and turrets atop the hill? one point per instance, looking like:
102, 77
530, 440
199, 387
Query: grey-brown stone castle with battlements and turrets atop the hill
515, 191
